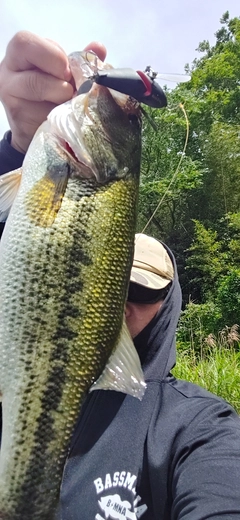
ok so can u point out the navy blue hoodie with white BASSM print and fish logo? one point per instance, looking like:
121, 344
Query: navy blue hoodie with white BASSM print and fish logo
175, 455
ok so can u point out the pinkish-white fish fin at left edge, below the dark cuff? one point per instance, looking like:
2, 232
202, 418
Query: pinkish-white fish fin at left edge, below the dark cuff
9, 184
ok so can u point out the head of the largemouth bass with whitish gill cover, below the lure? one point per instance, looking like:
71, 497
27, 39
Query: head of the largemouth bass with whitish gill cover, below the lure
102, 129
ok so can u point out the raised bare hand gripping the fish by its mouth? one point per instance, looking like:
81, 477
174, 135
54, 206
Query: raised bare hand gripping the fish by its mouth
34, 78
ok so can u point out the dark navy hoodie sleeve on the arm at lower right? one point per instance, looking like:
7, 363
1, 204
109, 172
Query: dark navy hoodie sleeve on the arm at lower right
206, 466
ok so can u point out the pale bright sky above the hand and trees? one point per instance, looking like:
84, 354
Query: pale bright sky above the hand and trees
136, 33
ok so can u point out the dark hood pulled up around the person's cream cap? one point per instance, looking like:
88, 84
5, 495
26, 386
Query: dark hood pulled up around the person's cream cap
156, 344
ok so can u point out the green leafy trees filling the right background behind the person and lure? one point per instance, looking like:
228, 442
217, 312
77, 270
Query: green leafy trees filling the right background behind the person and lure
198, 214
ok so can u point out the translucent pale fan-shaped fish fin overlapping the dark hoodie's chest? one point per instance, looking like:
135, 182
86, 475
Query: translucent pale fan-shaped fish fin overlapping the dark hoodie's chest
123, 371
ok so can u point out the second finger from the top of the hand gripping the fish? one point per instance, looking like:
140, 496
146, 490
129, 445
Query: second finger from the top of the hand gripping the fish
34, 85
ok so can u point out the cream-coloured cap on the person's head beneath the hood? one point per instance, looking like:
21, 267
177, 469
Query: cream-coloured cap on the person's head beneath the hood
152, 266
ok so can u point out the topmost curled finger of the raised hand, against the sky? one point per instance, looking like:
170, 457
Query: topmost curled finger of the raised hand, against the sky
26, 51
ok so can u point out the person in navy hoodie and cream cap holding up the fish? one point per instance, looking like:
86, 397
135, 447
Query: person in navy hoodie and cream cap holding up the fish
175, 455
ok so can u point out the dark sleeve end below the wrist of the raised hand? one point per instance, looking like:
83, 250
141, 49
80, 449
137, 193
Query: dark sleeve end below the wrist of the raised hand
10, 159
